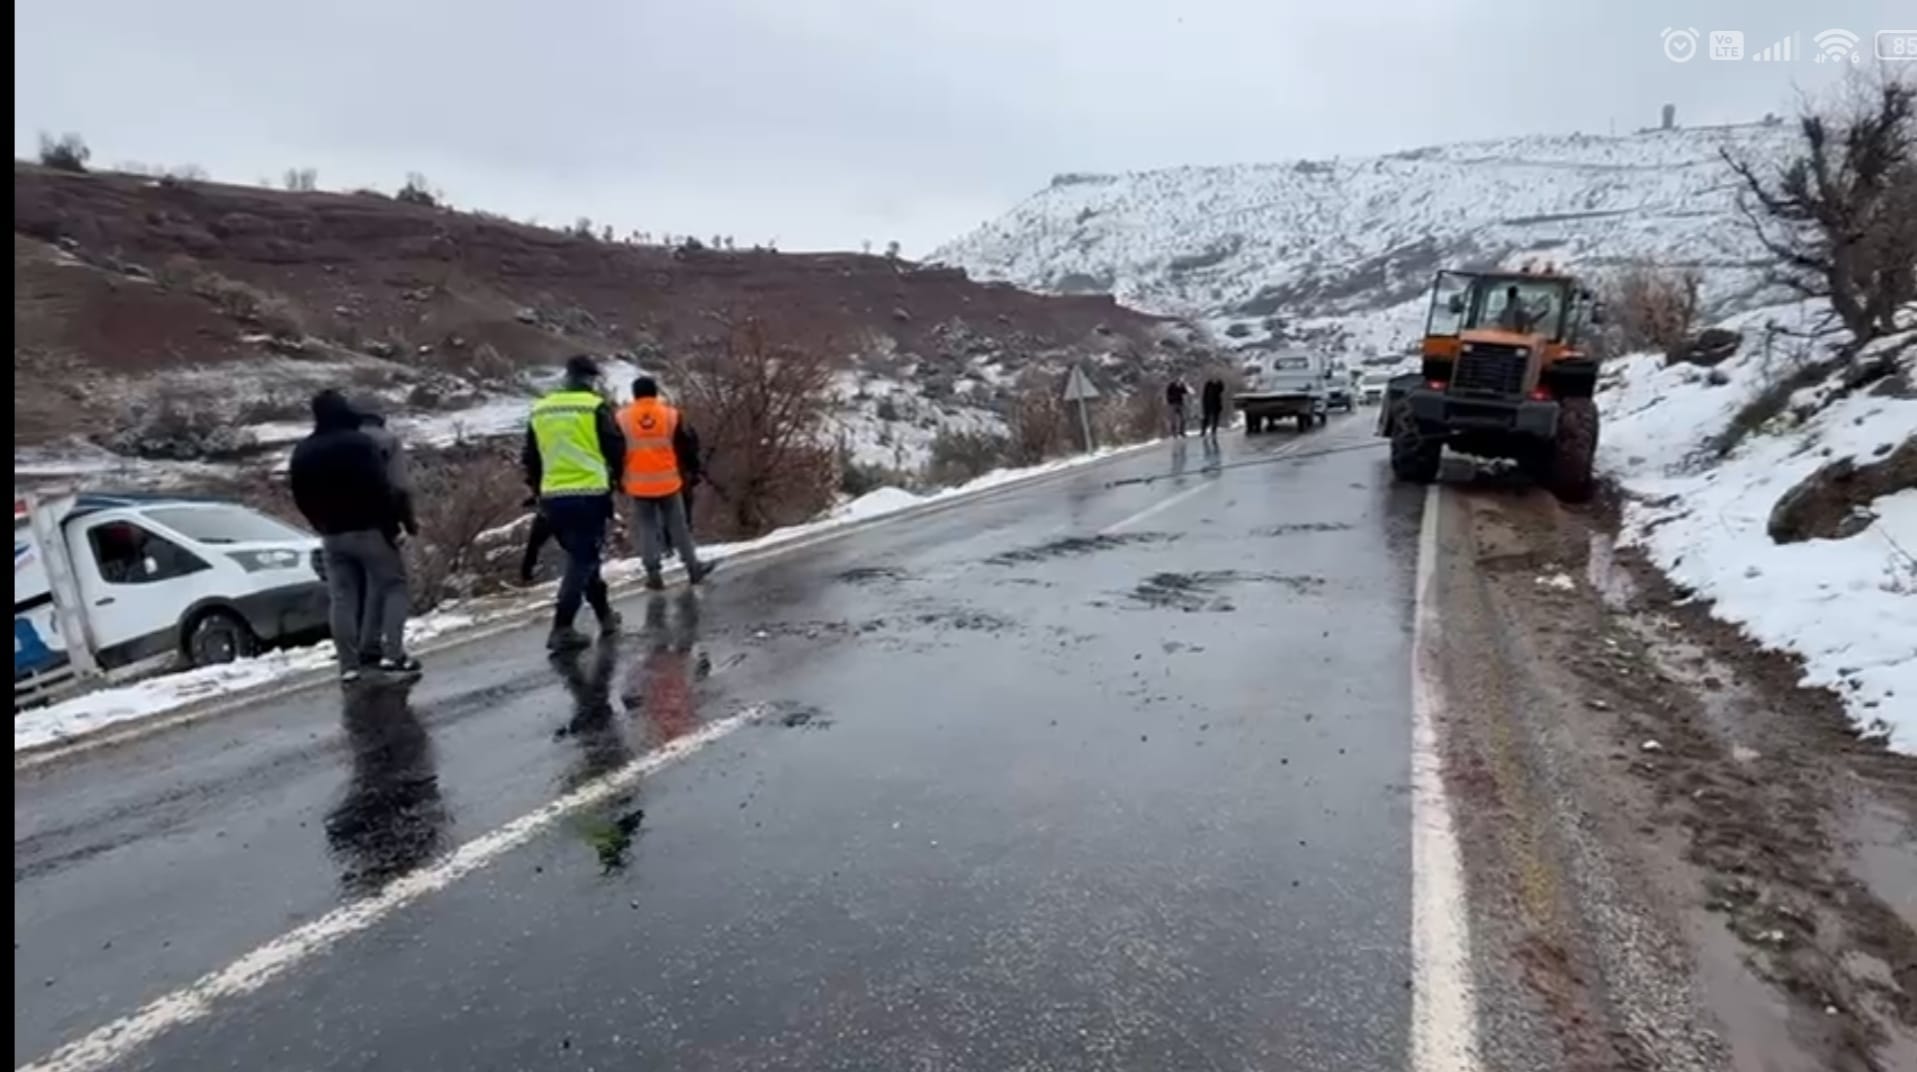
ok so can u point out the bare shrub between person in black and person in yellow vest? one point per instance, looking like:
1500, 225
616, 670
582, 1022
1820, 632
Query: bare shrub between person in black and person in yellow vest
467, 503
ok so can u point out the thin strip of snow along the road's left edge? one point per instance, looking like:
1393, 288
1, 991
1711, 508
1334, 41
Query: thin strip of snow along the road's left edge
103, 709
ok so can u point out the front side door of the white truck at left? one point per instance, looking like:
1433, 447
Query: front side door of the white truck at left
135, 586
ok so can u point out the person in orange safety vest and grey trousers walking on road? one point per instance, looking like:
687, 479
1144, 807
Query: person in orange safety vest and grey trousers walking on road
655, 444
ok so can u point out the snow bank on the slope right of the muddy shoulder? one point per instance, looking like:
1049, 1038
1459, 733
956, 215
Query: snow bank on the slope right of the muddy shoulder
1849, 607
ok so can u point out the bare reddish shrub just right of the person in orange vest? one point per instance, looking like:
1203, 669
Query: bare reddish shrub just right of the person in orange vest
760, 409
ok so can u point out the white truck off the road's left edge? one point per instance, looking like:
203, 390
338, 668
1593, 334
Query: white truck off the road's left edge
116, 586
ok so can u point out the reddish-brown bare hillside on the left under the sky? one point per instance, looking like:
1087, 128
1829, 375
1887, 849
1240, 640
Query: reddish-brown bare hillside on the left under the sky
243, 300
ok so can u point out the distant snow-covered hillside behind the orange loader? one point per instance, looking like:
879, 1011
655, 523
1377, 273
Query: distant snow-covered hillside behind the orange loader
1320, 248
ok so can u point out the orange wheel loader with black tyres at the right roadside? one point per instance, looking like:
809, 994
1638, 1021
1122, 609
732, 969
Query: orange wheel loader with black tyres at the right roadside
1504, 379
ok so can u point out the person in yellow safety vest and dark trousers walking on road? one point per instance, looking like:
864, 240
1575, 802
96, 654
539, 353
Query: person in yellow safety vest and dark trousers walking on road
572, 454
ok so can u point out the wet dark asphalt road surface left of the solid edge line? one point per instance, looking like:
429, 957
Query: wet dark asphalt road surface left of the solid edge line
1073, 778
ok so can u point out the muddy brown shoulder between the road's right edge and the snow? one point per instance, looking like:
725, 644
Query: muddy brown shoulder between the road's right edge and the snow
1767, 851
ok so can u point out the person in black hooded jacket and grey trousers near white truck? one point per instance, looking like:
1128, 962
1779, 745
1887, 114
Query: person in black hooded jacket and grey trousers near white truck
342, 486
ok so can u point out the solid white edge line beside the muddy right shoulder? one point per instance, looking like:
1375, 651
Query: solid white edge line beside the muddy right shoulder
1444, 1004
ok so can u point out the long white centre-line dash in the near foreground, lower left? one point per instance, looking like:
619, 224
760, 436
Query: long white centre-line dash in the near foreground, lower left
254, 971
